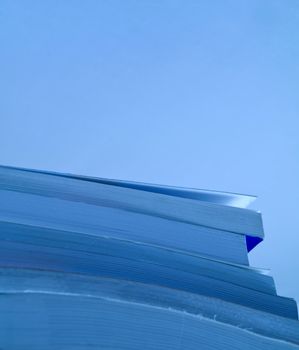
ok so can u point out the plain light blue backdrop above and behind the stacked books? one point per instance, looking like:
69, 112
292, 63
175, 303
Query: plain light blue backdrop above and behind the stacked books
193, 93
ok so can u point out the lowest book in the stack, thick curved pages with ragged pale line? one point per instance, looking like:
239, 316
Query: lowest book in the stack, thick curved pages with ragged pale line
51, 310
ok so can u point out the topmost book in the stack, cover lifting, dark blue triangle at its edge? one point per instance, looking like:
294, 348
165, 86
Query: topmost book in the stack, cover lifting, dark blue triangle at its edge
205, 223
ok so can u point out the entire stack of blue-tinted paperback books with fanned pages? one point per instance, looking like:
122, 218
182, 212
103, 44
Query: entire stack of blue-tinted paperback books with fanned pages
104, 264
